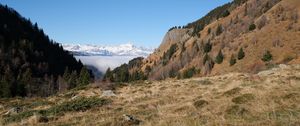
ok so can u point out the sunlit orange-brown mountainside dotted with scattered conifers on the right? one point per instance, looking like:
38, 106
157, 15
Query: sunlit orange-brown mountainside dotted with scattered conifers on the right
241, 36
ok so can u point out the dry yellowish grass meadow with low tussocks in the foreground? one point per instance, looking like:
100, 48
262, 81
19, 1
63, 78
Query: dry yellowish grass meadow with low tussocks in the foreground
270, 97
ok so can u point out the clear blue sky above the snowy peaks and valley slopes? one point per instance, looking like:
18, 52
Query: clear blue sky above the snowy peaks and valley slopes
110, 22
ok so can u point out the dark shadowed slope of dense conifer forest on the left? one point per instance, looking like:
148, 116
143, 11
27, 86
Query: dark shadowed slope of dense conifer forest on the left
31, 63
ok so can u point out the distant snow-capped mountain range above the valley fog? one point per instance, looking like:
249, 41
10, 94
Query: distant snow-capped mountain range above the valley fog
98, 50
